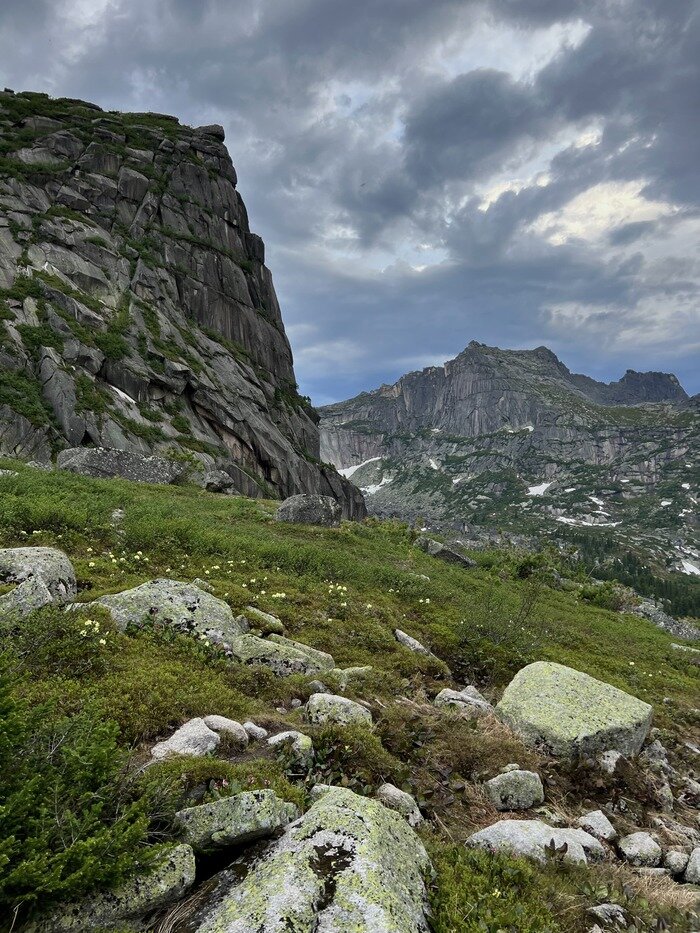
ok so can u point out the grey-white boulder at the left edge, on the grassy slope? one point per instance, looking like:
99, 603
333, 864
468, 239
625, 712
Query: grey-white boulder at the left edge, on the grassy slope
45, 565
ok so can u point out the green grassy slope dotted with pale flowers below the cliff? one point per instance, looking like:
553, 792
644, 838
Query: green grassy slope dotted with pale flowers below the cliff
151, 682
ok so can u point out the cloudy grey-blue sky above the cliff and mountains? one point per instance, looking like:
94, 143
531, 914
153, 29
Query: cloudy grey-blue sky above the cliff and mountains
428, 172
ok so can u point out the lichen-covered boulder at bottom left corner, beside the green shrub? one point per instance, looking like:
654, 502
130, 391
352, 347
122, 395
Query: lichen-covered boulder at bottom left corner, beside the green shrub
171, 878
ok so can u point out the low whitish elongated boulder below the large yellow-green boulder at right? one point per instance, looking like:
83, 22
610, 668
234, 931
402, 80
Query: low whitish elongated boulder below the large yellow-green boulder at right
530, 838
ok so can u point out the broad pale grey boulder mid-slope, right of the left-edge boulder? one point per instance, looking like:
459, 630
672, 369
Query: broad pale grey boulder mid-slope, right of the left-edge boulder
172, 602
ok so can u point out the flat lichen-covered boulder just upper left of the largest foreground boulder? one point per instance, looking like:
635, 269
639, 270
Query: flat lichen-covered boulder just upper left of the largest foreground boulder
234, 820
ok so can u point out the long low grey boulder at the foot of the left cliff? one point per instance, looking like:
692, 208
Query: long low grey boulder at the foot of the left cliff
108, 463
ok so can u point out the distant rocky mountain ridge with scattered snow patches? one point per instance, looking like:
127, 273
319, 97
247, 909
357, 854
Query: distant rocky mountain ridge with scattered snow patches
511, 439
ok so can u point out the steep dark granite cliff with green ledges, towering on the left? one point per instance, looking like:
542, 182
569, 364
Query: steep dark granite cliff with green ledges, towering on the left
137, 311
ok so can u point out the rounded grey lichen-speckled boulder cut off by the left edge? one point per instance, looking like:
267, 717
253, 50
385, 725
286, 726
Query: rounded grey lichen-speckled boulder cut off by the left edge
42, 575
